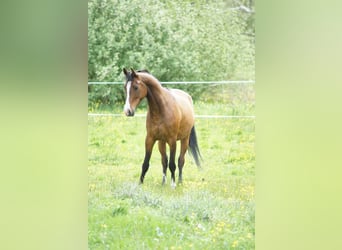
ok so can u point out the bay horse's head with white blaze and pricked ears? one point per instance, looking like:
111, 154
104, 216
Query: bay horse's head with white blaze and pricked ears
135, 91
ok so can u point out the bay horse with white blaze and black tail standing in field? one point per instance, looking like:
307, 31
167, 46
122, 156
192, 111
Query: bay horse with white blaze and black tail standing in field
170, 117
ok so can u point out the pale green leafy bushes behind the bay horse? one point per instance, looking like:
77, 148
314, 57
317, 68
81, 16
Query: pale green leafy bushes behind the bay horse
180, 40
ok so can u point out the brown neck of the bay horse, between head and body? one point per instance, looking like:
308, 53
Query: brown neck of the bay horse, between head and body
157, 97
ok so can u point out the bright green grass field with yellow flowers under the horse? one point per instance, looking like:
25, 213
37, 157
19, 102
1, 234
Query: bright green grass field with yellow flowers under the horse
213, 208
